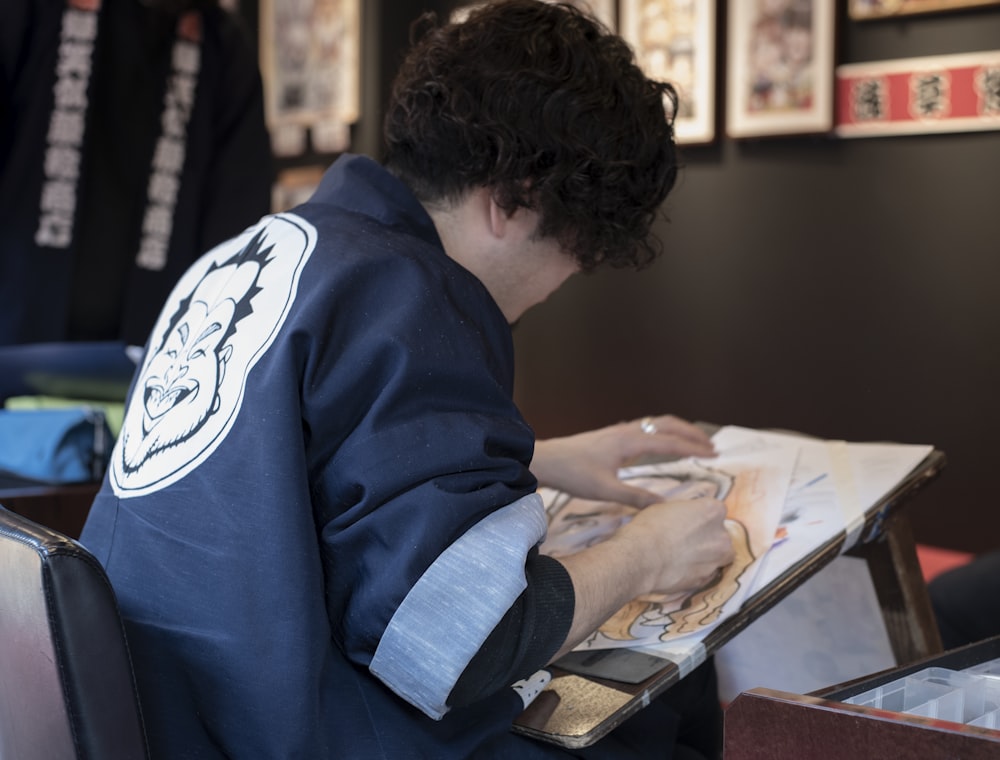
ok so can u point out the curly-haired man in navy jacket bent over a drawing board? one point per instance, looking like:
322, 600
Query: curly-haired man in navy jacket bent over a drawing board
319, 517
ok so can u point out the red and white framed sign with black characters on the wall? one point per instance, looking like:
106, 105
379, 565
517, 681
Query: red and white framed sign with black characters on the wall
948, 93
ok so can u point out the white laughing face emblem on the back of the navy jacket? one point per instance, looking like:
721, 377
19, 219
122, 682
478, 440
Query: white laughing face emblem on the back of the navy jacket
220, 320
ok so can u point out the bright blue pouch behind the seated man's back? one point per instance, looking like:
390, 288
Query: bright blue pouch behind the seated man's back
54, 445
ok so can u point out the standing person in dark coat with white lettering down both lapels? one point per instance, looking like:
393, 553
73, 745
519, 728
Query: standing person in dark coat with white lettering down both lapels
132, 139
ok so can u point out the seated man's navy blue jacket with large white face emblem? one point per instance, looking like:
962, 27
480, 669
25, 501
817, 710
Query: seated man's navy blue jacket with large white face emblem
360, 430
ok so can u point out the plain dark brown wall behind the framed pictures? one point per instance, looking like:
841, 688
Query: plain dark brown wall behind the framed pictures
844, 288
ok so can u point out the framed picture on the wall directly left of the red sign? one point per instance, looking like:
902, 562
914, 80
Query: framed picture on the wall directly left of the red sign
780, 72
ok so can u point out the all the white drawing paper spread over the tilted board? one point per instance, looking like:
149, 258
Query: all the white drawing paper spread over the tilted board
786, 495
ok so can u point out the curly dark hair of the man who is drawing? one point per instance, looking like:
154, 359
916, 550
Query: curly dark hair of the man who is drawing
547, 108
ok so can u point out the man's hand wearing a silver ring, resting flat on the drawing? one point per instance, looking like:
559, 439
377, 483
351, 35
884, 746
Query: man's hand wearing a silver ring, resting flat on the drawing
586, 465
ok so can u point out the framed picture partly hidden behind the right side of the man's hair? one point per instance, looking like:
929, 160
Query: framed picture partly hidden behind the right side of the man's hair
674, 41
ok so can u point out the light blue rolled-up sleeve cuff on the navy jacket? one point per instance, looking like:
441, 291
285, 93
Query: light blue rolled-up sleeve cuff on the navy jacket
456, 604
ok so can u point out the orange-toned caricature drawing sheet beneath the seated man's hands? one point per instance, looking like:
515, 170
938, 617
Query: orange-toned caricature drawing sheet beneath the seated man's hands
753, 492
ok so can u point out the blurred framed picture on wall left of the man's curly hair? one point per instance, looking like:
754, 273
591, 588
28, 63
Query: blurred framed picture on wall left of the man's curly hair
310, 63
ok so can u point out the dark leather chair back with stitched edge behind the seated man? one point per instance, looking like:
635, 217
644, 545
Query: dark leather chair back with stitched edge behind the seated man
66, 683
